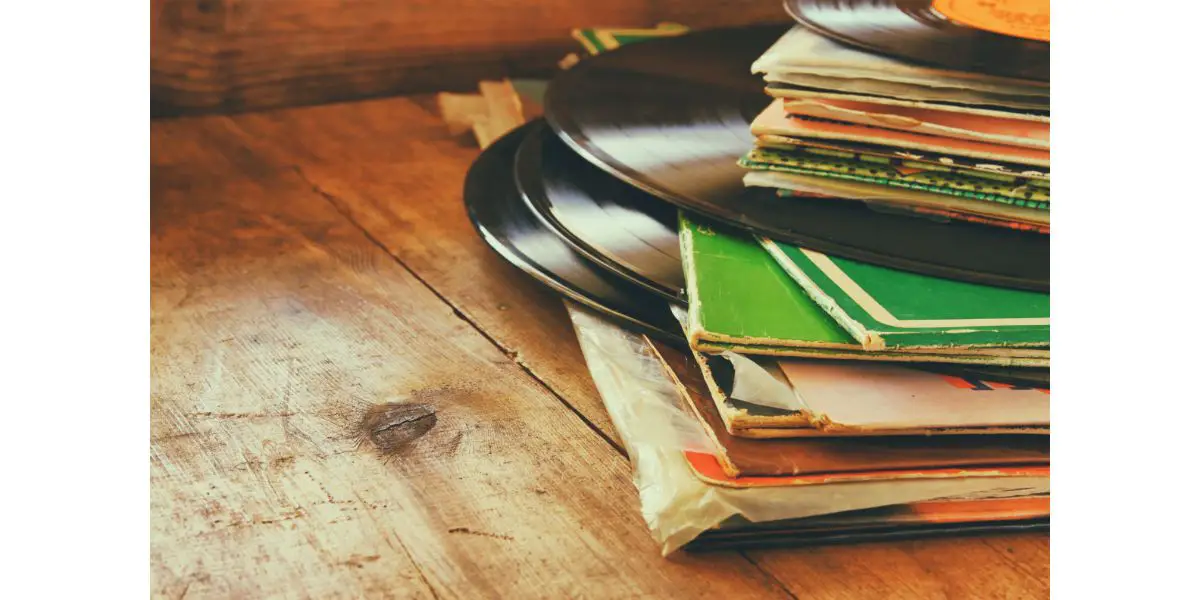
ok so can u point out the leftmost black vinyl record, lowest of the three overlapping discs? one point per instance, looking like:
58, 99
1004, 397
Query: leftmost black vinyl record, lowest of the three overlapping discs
508, 225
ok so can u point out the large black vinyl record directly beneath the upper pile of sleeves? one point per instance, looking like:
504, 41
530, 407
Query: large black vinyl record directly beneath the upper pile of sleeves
673, 117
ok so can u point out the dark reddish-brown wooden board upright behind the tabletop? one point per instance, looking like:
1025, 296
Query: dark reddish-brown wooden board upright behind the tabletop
233, 56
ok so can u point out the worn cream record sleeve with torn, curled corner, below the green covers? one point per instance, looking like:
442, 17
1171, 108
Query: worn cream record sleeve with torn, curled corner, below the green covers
767, 398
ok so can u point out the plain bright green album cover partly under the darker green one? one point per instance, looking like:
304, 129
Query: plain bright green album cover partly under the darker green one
741, 299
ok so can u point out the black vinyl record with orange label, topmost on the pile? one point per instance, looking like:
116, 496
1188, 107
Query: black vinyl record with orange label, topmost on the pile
916, 32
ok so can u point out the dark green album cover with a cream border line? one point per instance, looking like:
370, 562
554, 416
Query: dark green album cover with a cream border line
891, 309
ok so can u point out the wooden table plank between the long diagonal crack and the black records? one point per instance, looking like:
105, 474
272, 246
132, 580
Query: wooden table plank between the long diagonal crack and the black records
395, 171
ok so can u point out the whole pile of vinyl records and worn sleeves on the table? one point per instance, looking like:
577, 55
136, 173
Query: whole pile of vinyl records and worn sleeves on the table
808, 266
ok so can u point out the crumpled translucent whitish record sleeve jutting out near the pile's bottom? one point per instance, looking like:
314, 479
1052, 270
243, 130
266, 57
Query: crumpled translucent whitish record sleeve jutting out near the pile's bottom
680, 500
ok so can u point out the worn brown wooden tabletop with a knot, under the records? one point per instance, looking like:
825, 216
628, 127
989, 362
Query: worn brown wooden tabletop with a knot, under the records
311, 266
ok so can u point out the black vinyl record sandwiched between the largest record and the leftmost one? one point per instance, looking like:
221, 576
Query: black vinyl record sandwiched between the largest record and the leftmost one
613, 224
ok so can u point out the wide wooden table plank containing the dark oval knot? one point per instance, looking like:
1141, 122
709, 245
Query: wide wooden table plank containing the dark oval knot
323, 425
